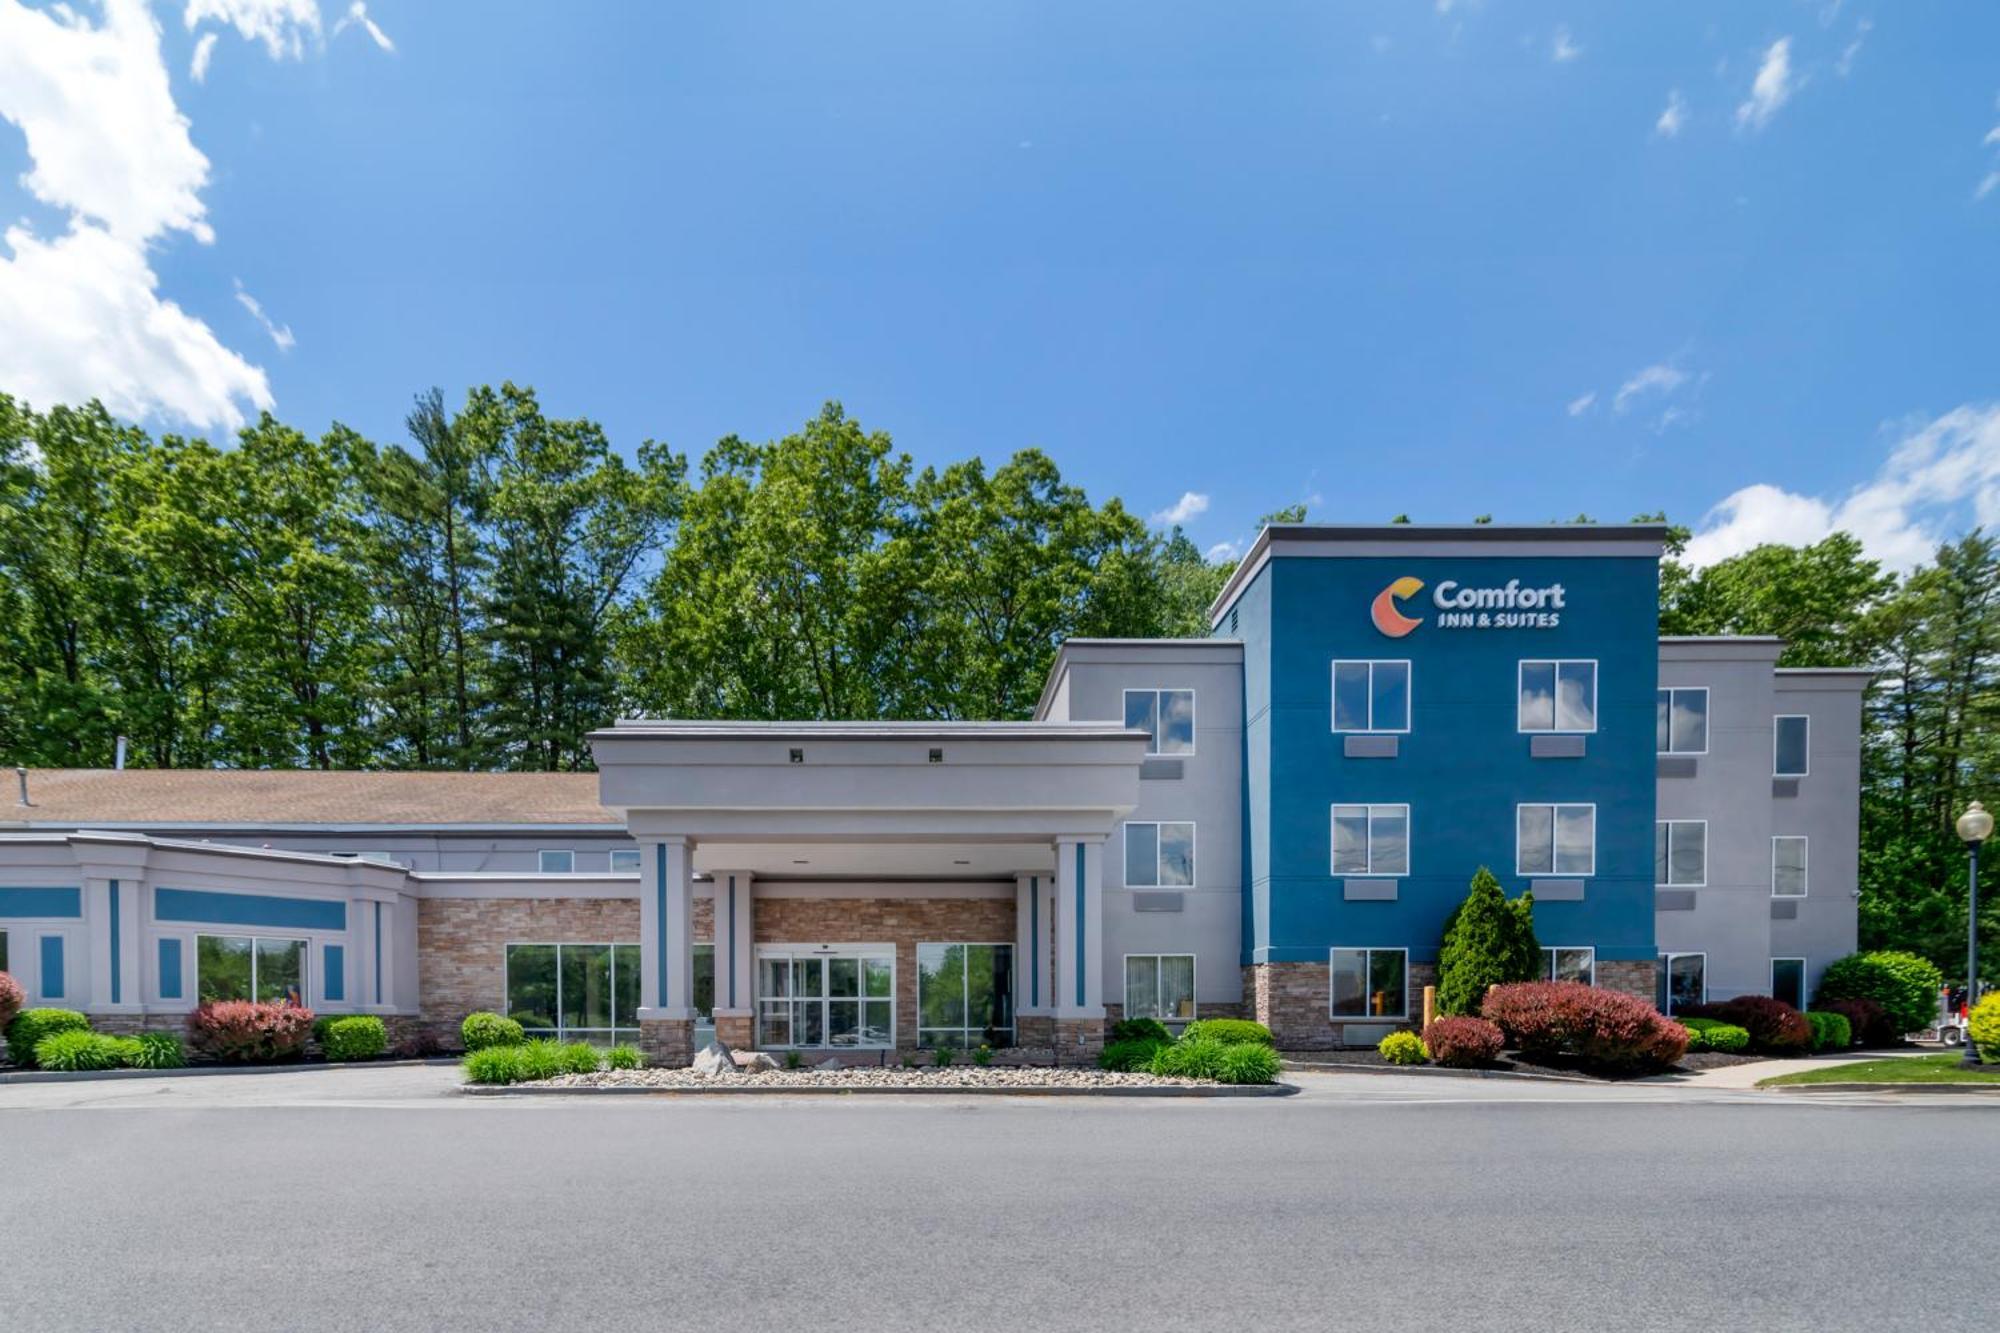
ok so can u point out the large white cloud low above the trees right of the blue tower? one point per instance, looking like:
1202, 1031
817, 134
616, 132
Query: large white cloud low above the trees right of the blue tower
1939, 479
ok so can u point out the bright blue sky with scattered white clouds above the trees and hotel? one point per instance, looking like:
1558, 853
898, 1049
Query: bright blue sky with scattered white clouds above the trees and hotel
1731, 261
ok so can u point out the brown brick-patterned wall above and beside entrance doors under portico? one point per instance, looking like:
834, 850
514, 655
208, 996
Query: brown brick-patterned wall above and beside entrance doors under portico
891, 922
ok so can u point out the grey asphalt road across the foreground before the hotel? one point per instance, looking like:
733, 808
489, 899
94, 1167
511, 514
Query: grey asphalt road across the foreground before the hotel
375, 1200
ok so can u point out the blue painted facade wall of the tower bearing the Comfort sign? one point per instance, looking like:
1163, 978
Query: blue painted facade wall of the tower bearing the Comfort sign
1463, 768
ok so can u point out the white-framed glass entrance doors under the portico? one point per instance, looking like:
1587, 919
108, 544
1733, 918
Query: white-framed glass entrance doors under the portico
827, 998
